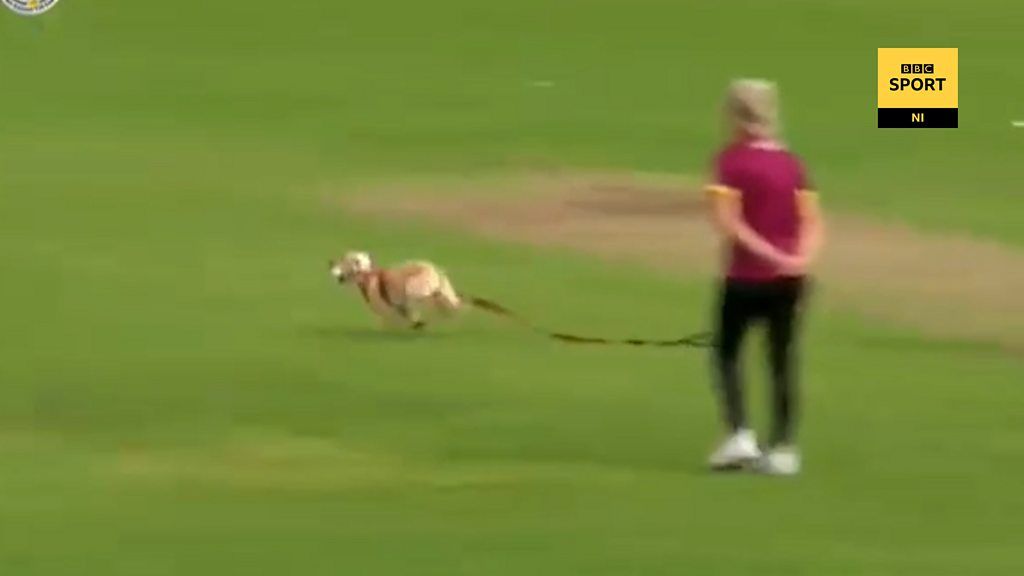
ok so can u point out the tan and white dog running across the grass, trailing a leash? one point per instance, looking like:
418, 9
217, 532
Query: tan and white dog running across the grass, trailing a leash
402, 293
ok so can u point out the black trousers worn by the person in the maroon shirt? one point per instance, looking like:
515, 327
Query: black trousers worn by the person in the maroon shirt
742, 305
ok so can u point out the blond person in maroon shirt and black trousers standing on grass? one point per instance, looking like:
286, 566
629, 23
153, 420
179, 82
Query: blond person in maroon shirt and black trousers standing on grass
767, 213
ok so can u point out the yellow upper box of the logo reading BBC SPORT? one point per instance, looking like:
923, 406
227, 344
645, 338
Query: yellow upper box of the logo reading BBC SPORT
918, 78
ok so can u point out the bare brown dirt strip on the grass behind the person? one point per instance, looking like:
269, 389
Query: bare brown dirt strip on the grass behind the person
953, 286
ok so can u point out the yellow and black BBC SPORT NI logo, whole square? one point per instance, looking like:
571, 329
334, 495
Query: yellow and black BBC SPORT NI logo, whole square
918, 89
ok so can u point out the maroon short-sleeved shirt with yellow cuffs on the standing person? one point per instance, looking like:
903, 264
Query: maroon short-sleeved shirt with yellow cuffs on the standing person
770, 182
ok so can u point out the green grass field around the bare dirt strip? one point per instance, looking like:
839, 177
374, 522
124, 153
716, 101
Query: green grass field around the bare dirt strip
184, 392
